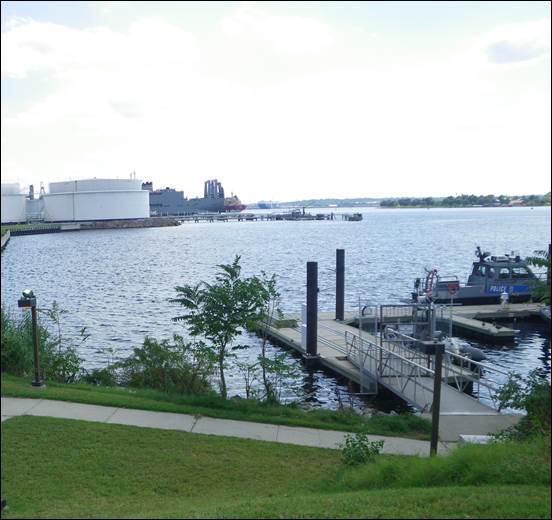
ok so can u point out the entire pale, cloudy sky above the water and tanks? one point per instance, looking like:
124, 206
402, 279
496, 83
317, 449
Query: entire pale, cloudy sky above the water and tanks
280, 100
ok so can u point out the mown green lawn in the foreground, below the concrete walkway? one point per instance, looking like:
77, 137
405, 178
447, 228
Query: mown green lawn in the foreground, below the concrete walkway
54, 468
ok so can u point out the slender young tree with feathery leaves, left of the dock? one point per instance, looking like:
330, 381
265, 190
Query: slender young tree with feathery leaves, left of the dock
219, 311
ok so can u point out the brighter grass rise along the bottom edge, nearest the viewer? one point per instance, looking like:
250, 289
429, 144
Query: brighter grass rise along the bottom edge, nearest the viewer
454, 502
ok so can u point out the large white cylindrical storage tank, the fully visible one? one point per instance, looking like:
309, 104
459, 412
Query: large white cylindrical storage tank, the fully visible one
96, 199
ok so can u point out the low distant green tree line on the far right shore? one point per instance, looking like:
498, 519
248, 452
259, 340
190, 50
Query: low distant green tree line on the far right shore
467, 200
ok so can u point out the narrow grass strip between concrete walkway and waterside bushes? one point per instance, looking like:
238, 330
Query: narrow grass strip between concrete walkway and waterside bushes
410, 426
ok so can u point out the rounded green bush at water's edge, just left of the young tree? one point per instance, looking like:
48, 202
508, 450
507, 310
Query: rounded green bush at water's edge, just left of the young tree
178, 367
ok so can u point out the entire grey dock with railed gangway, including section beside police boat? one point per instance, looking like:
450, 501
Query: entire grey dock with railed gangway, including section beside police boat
363, 359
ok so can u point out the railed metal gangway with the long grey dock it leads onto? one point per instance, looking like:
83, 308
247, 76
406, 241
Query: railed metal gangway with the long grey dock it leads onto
409, 374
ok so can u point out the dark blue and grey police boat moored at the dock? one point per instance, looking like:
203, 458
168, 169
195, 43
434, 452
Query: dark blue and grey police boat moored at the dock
490, 279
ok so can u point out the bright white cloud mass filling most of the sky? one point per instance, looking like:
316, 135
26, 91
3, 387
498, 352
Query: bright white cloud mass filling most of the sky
180, 108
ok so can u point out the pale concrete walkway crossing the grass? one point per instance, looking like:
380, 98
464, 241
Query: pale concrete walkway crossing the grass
13, 406
